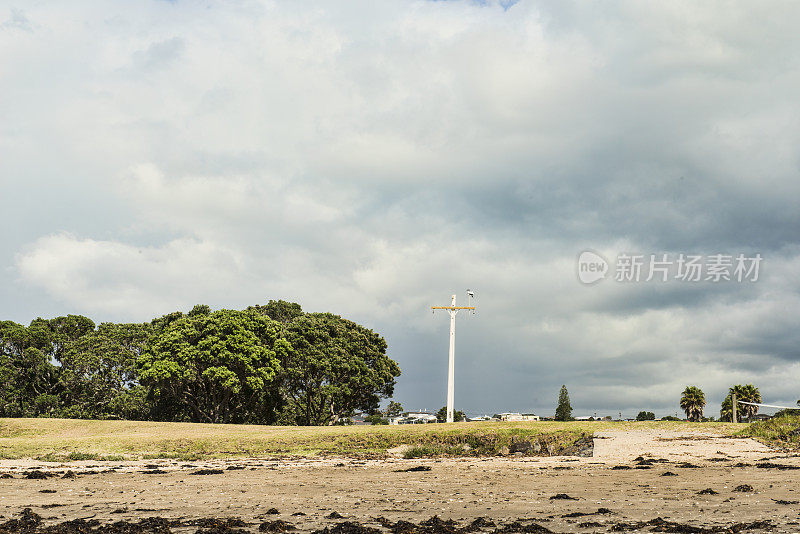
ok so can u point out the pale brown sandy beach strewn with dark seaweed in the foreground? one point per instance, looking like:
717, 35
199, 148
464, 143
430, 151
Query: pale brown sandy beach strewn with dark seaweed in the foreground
633, 478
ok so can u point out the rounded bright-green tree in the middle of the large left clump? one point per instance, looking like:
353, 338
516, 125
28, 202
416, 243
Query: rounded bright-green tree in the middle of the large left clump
218, 366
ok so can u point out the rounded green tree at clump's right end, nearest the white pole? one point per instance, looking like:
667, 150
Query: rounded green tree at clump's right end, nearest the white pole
335, 367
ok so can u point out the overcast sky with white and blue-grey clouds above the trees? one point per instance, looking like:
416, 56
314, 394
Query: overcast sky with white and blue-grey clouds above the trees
373, 158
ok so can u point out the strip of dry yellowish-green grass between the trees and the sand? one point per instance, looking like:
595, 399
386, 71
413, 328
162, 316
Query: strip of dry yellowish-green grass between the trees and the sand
74, 439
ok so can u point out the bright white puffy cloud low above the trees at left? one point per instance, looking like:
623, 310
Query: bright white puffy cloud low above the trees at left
125, 280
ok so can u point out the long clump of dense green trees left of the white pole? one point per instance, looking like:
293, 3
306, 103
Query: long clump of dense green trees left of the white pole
271, 364
